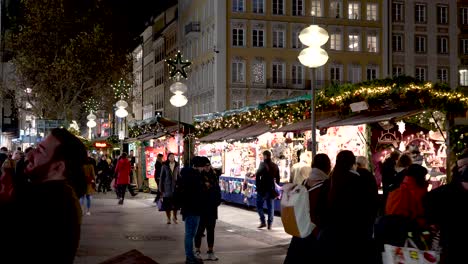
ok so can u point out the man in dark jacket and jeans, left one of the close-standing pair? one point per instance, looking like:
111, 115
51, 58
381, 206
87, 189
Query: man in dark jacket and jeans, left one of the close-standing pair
190, 192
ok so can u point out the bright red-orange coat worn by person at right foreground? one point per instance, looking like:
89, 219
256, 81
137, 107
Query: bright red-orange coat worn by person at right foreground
407, 201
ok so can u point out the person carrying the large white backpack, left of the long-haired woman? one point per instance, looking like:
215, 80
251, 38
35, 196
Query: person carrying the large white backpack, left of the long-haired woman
300, 248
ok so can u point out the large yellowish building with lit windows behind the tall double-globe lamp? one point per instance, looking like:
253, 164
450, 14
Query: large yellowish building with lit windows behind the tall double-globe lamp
245, 52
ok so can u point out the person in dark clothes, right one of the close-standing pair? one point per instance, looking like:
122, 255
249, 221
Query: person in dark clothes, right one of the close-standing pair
211, 201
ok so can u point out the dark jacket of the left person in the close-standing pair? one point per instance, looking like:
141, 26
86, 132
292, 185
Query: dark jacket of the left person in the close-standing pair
190, 191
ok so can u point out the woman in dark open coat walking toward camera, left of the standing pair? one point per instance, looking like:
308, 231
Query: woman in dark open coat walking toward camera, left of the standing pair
170, 175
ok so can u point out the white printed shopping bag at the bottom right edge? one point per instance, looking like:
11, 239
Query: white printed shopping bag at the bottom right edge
409, 254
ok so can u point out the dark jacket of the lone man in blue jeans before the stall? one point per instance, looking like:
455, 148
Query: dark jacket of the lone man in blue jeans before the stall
266, 176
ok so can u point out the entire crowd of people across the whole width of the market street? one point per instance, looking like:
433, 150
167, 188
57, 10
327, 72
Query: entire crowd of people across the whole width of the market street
40, 191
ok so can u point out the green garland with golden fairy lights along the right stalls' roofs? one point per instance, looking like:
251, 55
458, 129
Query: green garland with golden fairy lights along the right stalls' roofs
401, 92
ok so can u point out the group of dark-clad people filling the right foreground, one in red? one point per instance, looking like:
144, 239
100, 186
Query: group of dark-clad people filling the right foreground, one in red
353, 224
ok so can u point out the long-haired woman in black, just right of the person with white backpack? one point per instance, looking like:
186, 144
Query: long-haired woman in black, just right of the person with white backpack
349, 215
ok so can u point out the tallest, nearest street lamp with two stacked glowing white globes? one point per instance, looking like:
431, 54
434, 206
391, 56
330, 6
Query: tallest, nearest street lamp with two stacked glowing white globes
313, 56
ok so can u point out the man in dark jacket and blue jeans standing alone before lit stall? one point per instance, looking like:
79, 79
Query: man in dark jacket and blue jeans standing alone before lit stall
266, 176
